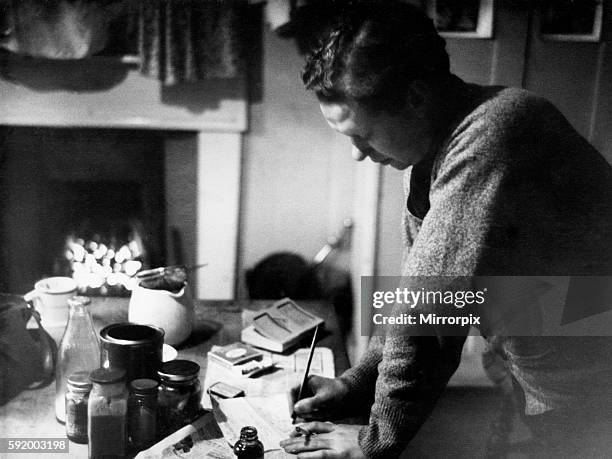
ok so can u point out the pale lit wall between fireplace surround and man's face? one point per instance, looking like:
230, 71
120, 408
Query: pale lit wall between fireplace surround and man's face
298, 175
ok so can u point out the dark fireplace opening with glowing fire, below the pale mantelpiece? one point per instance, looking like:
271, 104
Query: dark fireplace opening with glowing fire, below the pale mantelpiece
83, 202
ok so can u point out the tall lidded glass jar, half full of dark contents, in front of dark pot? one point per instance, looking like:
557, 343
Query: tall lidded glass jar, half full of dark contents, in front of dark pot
107, 414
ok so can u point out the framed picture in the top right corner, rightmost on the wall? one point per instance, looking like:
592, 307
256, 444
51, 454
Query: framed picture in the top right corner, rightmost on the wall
571, 20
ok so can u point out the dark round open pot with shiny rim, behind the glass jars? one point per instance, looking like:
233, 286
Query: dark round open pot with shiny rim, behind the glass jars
135, 348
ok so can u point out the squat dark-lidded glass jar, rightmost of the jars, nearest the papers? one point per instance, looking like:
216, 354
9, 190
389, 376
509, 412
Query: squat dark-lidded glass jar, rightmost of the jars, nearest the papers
180, 395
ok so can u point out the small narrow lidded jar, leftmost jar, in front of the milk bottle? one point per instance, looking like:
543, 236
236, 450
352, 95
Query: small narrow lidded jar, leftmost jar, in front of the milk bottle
77, 395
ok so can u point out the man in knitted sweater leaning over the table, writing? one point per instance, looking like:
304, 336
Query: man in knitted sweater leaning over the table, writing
498, 184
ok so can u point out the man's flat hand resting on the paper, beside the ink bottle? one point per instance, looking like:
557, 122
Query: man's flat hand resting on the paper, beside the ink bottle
325, 440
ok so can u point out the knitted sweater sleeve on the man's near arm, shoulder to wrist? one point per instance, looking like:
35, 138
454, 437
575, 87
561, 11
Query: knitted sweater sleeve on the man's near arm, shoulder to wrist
454, 240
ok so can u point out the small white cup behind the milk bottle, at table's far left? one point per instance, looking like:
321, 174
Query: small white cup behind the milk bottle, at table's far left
50, 298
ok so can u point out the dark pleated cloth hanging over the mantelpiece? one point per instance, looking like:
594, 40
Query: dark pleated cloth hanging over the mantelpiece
190, 40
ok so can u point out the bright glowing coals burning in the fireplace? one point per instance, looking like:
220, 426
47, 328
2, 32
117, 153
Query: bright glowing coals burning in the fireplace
96, 265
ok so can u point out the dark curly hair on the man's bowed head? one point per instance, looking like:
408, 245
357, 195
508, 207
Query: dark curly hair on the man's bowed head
372, 50
